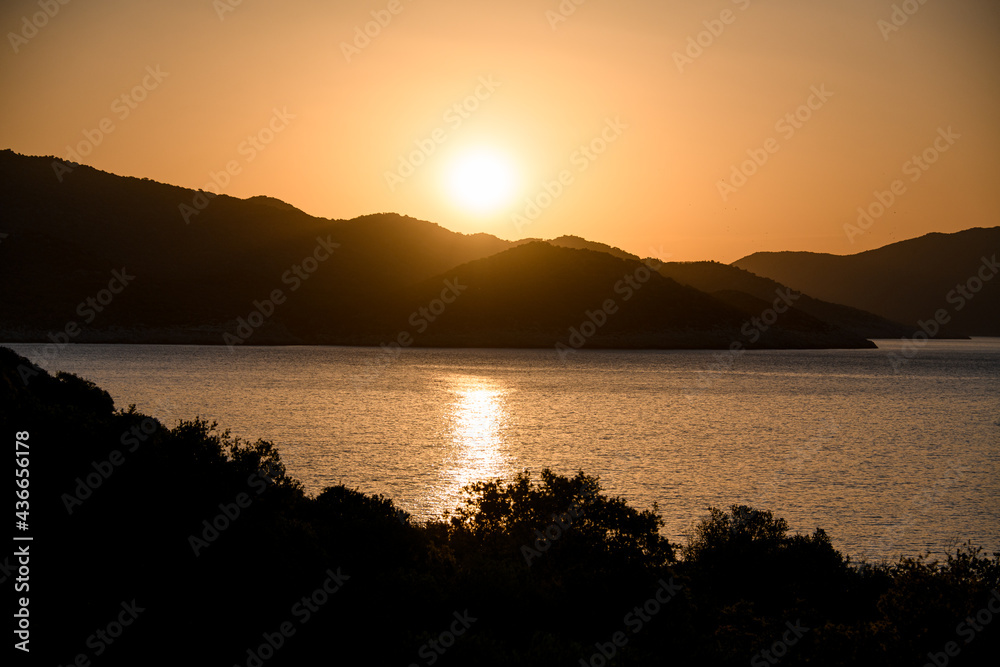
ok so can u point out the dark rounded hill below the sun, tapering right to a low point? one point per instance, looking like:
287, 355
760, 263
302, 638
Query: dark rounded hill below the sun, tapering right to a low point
537, 294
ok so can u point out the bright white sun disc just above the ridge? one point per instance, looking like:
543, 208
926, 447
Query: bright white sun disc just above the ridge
481, 180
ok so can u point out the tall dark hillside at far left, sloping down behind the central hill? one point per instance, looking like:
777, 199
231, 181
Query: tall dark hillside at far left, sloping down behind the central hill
194, 277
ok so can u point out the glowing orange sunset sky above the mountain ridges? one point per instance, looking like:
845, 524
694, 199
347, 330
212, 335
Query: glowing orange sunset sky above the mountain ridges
683, 130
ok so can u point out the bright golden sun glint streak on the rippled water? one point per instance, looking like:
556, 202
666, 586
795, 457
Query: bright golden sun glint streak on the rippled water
475, 437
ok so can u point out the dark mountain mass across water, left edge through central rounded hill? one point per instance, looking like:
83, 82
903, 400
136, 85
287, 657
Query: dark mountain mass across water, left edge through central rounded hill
213, 269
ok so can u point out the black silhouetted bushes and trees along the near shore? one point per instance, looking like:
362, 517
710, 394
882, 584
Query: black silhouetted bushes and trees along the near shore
231, 563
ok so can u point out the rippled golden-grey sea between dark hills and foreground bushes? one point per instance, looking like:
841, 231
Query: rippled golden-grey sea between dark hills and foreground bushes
892, 451
